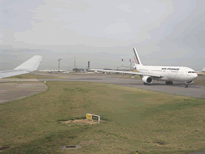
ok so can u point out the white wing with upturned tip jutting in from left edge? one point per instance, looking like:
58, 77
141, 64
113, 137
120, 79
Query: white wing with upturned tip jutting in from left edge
26, 67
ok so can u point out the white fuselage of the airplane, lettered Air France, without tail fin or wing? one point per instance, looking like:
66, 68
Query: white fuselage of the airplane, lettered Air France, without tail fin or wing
169, 73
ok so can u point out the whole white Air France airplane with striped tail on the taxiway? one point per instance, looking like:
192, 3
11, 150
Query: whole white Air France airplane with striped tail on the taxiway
159, 73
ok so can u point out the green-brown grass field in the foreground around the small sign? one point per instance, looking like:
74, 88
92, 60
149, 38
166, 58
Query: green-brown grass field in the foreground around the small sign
149, 122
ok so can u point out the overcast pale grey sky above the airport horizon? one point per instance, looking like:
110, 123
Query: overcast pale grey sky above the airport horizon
167, 32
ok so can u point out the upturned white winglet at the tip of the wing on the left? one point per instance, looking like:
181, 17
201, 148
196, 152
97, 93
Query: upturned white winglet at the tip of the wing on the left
31, 64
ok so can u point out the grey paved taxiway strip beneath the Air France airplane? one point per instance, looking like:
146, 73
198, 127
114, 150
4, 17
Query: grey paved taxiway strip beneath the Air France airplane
177, 89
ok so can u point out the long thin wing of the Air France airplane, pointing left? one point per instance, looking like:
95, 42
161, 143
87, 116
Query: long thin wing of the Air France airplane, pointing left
127, 72
